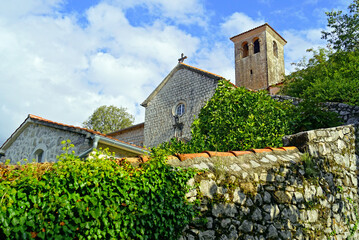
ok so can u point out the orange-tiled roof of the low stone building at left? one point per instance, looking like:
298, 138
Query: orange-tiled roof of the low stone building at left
70, 128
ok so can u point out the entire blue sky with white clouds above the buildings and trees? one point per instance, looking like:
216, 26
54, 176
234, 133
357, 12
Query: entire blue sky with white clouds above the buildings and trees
61, 59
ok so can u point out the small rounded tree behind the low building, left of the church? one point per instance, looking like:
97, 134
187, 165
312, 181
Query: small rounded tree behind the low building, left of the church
108, 119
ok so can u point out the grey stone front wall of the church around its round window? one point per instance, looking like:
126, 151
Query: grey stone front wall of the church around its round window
189, 87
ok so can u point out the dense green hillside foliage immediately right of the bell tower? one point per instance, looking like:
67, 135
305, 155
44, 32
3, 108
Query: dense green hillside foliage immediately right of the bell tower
326, 77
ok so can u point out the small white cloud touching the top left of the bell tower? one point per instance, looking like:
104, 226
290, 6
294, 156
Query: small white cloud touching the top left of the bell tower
239, 22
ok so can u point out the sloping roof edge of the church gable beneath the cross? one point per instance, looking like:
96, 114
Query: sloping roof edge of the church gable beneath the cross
168, 77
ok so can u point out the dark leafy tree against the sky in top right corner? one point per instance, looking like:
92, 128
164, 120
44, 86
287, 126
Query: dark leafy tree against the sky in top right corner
344, 28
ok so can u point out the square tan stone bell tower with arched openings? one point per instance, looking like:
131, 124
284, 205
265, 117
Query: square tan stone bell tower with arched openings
259, 58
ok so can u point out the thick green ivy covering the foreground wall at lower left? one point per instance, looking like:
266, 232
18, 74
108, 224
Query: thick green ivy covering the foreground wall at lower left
97, 198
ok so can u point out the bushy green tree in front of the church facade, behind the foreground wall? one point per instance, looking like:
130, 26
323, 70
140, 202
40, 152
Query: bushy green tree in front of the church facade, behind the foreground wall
237, 119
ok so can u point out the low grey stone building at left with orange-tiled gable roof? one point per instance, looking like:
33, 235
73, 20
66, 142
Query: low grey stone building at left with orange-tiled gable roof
40, 139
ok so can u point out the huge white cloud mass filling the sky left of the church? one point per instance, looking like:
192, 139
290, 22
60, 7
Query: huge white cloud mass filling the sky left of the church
54, 68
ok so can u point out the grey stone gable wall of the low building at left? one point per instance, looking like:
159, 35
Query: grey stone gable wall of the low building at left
48, 139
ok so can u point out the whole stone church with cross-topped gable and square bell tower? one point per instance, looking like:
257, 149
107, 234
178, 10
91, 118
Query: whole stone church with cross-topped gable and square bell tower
173, 105
